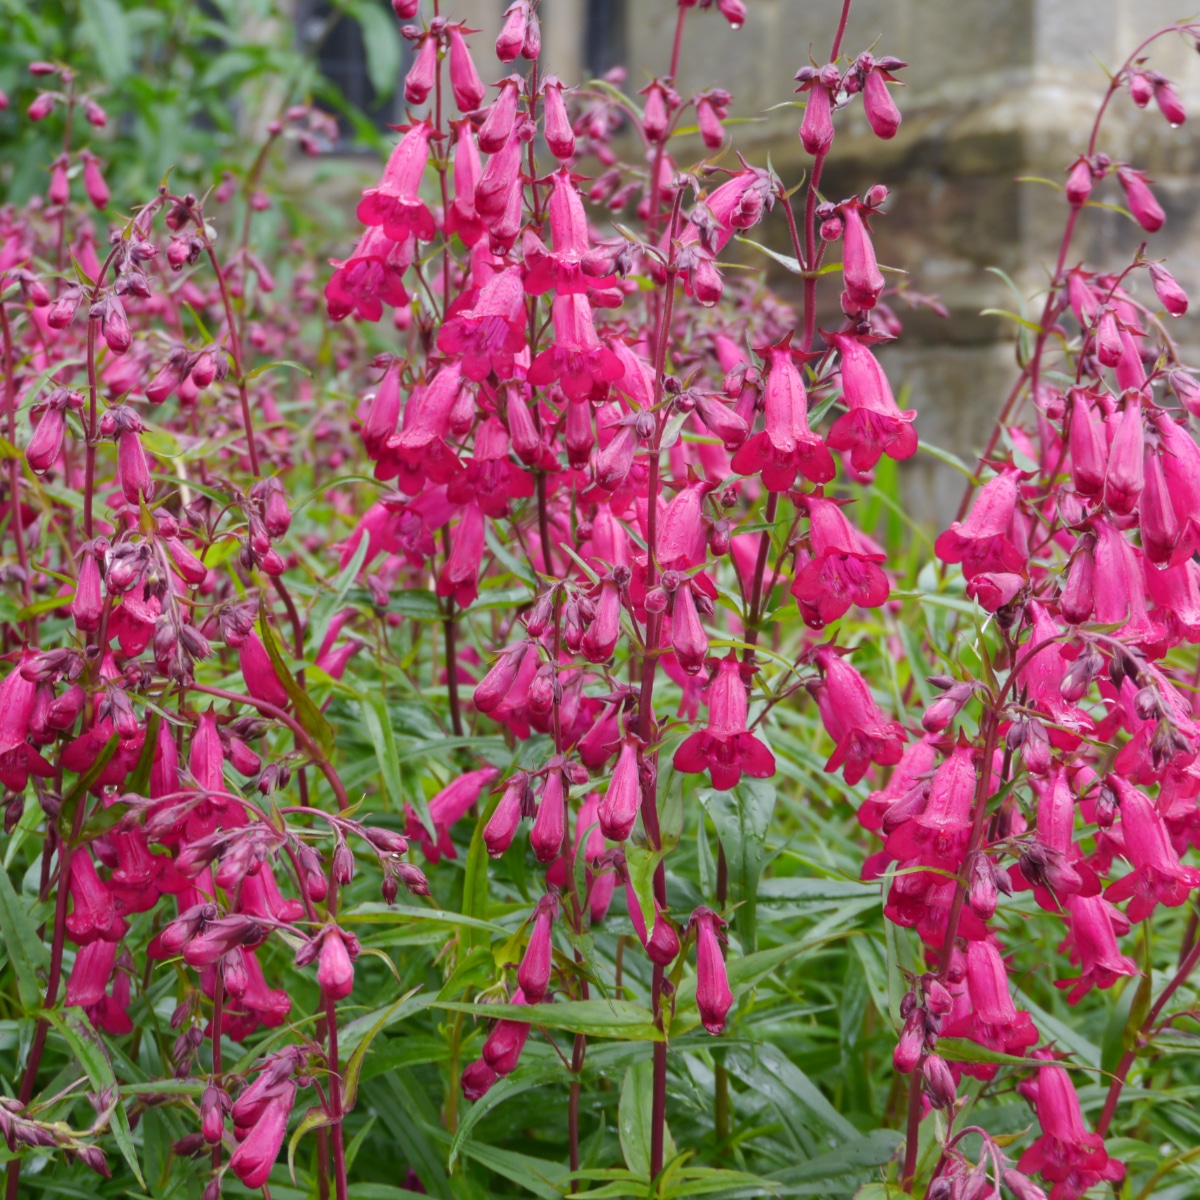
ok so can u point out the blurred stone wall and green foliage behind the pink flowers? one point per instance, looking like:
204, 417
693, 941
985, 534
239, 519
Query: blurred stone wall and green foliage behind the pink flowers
997, 92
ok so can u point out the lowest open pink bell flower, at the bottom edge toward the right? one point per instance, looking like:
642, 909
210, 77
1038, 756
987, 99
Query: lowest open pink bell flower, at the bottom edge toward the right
1066, 1155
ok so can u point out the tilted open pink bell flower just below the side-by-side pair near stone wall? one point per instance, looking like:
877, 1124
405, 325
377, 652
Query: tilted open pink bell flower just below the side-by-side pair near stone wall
841, 573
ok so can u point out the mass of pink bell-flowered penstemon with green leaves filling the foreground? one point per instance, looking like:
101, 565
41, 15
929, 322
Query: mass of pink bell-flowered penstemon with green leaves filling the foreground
272, 649
